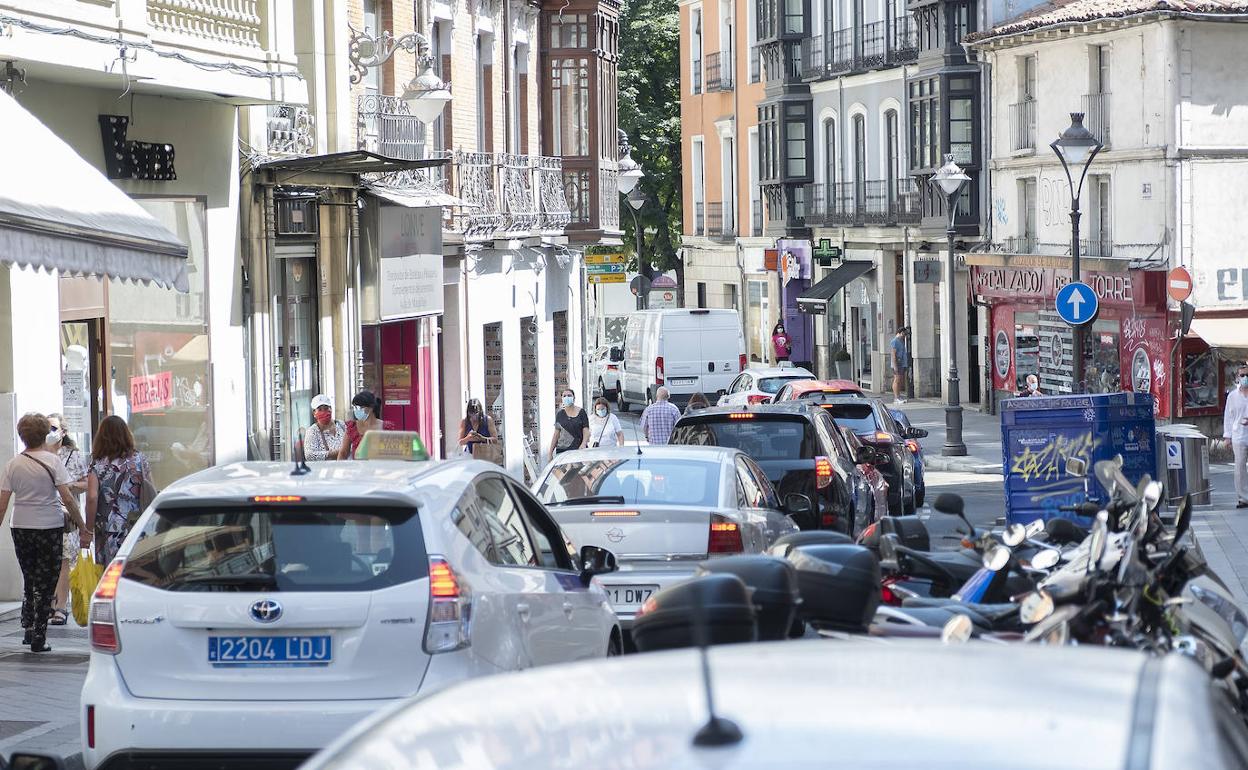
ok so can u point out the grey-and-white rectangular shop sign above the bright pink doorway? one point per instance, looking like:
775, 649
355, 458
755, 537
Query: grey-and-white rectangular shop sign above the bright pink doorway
411, 263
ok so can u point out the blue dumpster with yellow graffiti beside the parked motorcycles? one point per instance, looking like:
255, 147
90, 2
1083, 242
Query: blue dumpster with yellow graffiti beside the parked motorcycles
1039, 434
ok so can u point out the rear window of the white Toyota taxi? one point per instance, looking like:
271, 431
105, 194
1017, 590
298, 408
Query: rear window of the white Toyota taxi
279, 550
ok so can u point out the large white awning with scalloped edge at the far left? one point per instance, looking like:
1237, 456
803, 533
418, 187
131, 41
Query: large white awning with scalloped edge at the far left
59, 213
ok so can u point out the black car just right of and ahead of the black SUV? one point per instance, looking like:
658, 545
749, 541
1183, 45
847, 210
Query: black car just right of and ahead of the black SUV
874, 425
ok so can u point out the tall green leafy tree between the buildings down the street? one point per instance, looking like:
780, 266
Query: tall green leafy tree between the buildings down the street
650, 113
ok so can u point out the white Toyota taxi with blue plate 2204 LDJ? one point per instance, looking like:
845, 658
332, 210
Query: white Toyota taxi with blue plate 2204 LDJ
255, 613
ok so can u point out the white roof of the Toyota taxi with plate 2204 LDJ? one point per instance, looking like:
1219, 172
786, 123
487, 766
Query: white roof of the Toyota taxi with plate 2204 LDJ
381, 481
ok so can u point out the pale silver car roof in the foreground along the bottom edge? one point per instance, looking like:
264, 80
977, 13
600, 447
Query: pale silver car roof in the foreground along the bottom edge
807, 704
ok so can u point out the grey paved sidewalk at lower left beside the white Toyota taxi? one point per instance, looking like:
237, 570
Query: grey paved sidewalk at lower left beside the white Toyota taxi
39, 693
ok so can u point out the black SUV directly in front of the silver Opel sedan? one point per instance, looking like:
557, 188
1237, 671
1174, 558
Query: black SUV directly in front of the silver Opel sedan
797, 445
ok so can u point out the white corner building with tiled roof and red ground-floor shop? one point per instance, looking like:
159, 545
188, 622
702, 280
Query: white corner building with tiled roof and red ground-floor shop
1165, 94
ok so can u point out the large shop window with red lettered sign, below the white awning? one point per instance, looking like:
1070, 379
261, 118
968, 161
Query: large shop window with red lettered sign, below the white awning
159, 346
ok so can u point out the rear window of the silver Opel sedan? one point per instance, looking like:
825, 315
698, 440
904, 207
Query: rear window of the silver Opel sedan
638, 481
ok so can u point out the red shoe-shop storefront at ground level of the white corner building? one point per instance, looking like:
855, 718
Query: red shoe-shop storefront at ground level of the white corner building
1128, 348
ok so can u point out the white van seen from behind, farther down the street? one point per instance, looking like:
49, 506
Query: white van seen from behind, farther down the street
688, 350
